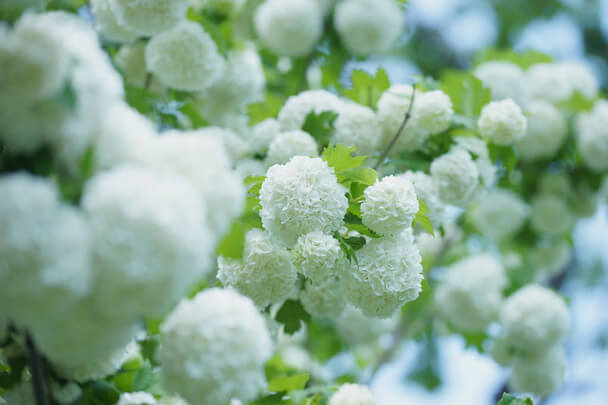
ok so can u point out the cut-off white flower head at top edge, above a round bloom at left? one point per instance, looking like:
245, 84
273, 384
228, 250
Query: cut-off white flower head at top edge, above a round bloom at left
149, 17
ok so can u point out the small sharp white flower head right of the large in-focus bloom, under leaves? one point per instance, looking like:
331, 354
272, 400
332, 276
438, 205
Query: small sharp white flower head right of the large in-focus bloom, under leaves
390, 205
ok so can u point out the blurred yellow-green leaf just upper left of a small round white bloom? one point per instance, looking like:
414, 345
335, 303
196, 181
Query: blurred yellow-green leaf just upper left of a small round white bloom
466, 92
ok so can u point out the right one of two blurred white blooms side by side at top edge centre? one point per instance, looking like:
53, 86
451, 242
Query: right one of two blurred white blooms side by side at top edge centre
369, 26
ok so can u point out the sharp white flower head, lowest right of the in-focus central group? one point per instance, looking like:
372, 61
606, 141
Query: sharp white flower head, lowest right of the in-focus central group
389, 274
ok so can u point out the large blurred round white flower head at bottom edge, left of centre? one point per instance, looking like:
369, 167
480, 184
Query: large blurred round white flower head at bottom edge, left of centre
213, 348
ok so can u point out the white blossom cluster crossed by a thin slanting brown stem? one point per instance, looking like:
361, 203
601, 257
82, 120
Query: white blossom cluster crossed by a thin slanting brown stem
431, 114
